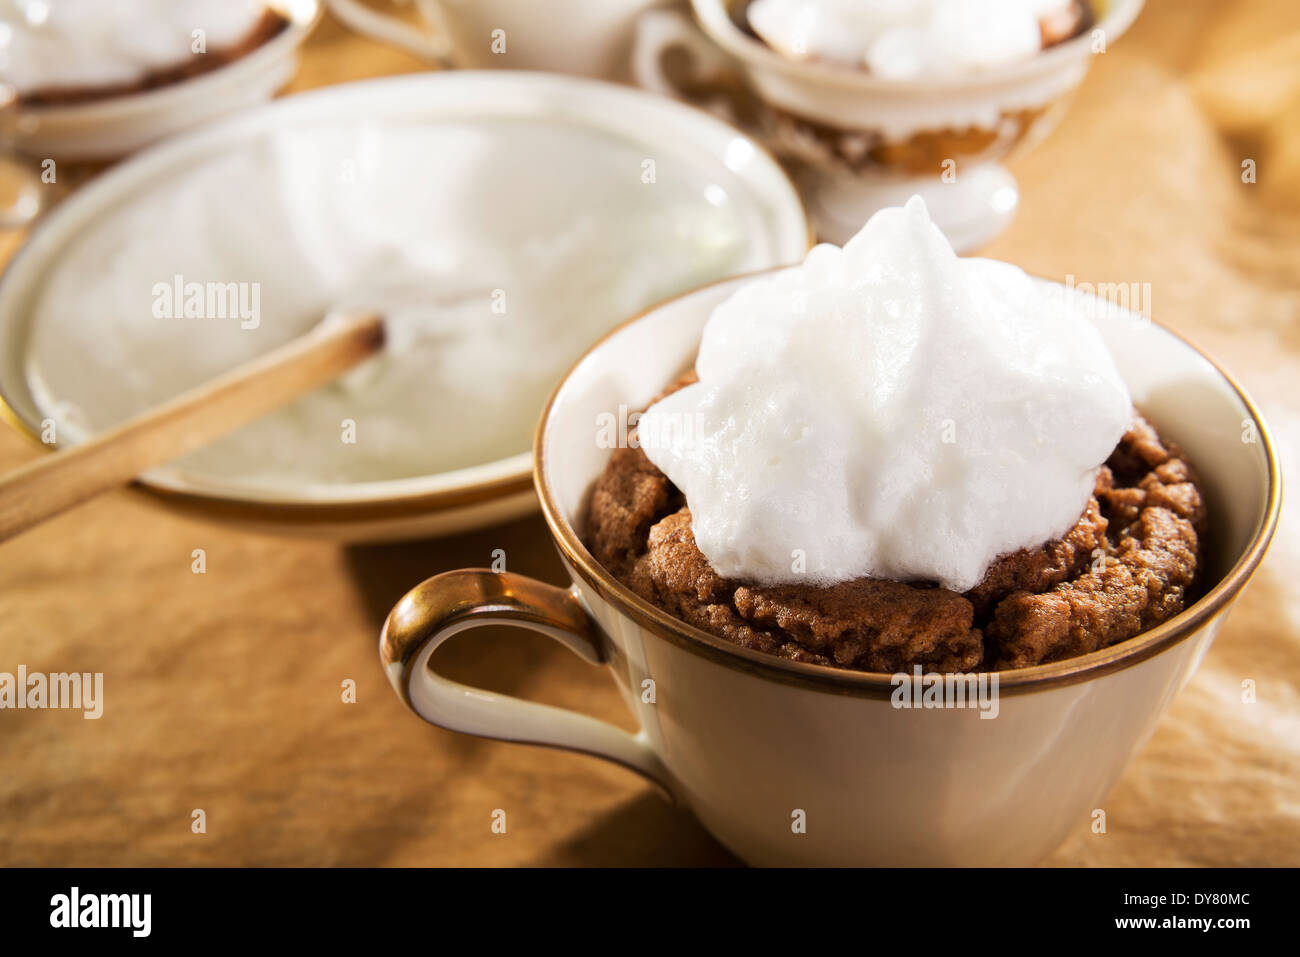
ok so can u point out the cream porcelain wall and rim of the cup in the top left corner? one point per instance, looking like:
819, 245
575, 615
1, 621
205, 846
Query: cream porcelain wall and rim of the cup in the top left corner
112, 128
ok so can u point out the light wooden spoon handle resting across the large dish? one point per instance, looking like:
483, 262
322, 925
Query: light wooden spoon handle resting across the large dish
51, 486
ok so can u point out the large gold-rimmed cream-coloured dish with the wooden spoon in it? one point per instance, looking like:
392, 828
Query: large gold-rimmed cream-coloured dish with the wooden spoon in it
118, 241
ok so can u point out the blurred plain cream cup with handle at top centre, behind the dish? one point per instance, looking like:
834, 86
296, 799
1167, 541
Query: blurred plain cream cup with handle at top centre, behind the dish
590, 38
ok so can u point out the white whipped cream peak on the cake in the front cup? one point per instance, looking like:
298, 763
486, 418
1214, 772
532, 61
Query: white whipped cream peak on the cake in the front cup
890, 410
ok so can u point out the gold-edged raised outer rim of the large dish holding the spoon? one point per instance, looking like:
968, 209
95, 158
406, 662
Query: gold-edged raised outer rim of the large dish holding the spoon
775, 228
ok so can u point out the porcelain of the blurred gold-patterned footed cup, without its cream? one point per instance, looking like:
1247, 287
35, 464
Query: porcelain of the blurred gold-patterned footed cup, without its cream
856, 142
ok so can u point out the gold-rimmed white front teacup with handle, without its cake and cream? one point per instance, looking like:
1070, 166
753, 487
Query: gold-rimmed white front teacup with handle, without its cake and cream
794, 764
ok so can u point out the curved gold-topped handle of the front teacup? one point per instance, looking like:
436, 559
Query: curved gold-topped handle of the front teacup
453, 603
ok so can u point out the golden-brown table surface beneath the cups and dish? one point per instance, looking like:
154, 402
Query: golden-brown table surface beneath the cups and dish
223, 691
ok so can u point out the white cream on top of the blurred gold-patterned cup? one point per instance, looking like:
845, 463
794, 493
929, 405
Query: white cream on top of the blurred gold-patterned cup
905, 40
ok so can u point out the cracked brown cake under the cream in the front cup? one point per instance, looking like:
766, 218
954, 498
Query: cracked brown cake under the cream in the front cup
1129, 564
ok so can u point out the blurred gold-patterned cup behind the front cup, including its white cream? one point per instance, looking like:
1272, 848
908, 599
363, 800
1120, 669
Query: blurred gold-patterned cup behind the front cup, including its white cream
873, 103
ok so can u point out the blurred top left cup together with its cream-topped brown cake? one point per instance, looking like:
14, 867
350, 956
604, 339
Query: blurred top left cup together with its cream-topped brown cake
93, 80
